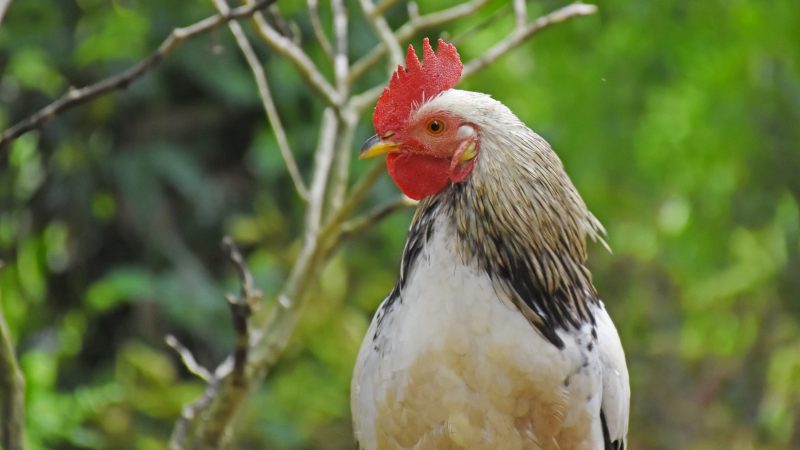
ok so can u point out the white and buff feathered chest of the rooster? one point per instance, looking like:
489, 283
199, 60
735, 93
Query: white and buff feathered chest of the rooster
451, 364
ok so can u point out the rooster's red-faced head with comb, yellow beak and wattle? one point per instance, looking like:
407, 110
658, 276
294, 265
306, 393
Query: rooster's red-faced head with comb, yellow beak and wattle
428, 148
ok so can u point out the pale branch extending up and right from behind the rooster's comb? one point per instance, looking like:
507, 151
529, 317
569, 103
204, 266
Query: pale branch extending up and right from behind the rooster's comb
520, 35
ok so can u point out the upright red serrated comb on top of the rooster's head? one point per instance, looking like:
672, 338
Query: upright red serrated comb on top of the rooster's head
415, 83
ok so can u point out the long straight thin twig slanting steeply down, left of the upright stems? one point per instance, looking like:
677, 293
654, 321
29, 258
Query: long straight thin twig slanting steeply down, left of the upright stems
266, 100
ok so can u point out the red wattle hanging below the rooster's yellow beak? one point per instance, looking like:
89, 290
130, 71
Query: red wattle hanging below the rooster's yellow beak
418, 176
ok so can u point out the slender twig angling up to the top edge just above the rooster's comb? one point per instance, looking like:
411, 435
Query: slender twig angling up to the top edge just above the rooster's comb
412, 27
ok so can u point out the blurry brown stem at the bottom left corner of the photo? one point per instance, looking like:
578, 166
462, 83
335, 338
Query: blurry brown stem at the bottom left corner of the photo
12, 392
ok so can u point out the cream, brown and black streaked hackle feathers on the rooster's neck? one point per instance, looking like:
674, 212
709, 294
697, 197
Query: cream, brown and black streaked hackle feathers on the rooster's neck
519, 218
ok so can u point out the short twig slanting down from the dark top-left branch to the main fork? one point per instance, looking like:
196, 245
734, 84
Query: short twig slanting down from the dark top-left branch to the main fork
289, 50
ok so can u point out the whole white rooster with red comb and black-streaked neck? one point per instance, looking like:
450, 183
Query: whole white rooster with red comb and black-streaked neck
494, 336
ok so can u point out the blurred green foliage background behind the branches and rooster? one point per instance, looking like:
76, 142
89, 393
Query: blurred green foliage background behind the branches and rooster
678, 121
